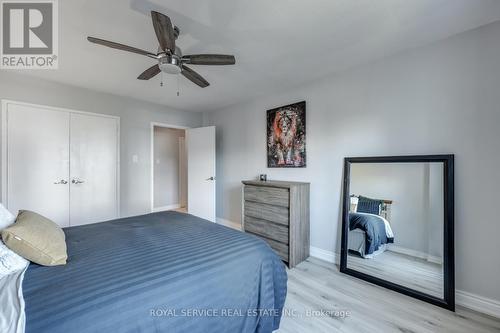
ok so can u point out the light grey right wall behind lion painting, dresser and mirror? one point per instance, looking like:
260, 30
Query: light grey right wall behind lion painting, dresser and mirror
441, 98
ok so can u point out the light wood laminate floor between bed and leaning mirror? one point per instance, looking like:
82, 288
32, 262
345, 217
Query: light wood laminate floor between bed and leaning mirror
315, 285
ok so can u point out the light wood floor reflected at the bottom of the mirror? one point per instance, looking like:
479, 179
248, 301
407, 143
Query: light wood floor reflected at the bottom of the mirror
402, 269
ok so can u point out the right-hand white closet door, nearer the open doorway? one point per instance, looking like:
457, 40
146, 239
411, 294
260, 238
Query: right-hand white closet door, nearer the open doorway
93, 169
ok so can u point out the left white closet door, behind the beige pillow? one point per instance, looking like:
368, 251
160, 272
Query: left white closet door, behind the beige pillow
38, 161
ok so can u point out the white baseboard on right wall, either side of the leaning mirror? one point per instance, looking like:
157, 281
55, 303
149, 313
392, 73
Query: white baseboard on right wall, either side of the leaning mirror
470, 301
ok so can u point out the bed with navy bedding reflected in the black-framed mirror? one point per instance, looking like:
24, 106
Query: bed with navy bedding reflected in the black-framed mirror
369, 229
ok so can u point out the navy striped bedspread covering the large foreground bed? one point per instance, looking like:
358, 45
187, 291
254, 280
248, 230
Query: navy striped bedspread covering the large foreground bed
161, 272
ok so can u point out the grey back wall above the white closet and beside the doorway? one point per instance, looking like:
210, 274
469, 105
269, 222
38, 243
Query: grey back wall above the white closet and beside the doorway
135, 118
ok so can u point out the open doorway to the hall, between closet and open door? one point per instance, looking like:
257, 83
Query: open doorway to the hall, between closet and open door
168, 168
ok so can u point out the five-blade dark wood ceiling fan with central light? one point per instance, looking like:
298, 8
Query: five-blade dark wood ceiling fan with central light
170, 58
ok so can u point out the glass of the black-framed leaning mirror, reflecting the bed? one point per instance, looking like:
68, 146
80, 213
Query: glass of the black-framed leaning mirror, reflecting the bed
396, 223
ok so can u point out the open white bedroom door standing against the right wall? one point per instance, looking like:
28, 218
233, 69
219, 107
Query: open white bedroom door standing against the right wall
200, 144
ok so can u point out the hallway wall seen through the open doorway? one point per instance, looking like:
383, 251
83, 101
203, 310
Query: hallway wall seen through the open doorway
166, 181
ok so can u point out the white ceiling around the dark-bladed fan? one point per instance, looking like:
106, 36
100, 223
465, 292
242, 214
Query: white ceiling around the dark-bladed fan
278, 44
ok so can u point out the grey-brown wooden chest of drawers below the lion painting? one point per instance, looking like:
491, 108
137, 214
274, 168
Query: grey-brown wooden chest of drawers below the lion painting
278, 212
